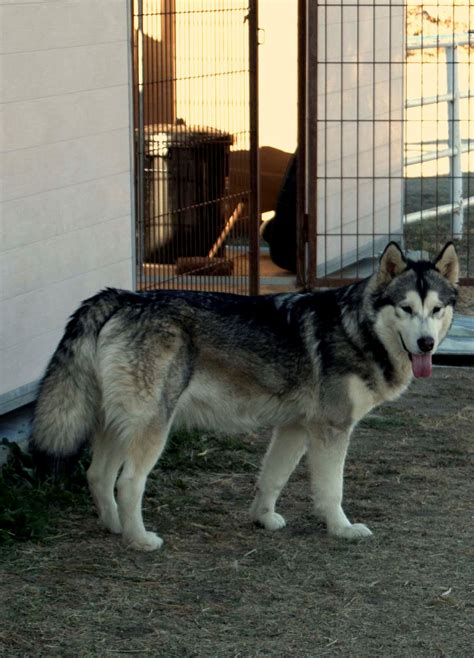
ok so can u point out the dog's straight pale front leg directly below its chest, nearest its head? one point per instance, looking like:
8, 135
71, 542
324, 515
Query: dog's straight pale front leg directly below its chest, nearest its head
327, 449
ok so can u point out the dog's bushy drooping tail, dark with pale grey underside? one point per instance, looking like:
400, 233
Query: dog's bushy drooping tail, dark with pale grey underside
68, 403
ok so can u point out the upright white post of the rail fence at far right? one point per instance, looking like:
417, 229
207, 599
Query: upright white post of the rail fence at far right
454, 132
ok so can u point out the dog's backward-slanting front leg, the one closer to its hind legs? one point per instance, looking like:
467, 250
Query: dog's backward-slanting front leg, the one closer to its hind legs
287, 446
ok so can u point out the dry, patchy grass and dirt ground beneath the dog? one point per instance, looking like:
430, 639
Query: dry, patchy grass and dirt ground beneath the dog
221, 587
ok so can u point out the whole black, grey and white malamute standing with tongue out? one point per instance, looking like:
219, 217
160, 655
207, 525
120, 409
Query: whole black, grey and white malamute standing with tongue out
309, 365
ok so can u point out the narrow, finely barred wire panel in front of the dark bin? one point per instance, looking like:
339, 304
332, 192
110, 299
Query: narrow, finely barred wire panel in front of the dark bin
195, 127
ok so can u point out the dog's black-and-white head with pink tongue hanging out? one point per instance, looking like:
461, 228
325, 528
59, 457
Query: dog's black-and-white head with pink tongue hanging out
414, 303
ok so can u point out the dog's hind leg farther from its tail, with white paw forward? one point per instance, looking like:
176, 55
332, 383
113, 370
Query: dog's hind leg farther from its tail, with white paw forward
144, 451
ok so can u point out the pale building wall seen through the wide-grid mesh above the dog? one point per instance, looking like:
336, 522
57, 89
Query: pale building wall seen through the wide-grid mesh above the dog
359, 129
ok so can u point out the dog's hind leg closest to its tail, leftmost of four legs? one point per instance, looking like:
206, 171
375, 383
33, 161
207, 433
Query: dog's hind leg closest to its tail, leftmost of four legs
108, 455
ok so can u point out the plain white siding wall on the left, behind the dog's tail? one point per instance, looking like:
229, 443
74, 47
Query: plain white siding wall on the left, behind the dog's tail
65, 197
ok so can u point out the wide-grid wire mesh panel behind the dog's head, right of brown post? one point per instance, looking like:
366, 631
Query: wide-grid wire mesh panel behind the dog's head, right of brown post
389, 95
